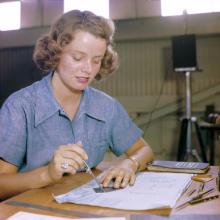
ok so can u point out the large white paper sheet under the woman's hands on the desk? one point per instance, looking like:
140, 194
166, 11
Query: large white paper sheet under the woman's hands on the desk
152, 190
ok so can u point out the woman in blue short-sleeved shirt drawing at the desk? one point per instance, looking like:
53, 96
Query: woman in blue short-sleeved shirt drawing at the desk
54, 125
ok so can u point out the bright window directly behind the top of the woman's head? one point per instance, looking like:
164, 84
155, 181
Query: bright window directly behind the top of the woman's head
99, 7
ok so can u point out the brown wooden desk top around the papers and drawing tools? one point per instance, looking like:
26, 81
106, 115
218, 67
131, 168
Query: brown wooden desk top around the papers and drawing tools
41, 201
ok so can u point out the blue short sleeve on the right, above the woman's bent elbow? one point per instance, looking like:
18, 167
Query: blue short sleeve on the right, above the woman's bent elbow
123, 131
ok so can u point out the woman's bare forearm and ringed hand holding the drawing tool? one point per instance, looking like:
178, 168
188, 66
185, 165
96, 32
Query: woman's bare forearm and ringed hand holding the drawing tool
12, 182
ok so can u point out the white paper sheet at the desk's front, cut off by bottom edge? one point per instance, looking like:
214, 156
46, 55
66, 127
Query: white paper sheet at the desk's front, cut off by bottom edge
32, 216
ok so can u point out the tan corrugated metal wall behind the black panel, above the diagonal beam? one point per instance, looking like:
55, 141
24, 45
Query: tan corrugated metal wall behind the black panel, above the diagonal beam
146, 64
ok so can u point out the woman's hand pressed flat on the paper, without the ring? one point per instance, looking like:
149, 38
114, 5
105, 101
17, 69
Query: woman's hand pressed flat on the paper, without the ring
121, 175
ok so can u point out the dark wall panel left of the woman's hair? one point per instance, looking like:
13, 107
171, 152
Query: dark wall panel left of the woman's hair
17, 70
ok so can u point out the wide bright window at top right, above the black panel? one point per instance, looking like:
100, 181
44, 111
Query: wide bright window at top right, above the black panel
177, 7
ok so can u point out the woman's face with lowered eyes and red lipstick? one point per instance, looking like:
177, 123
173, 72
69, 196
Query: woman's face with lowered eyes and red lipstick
80, 61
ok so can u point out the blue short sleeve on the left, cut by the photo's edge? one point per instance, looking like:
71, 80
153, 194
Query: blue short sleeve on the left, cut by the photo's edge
12, 133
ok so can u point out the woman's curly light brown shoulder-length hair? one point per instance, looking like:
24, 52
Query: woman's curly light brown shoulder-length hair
49, 47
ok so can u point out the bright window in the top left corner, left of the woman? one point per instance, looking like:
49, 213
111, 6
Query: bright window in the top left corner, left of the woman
10, 13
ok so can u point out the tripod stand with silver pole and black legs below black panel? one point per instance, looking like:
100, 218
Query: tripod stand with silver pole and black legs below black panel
186, 150
